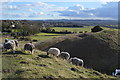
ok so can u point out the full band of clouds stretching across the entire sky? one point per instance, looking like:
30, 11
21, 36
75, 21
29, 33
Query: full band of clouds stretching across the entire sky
38, 9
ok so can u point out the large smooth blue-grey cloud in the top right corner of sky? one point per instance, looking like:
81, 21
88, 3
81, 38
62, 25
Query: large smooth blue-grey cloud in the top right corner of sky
109, 10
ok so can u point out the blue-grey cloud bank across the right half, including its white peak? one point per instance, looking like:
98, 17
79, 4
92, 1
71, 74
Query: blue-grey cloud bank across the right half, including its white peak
108, 10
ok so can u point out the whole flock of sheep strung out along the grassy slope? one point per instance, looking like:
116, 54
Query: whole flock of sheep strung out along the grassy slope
12, 44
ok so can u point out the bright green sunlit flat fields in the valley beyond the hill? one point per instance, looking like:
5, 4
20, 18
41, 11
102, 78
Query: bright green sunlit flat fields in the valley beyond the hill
45, 36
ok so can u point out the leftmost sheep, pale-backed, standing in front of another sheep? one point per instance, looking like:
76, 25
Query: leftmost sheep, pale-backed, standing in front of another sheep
9, 45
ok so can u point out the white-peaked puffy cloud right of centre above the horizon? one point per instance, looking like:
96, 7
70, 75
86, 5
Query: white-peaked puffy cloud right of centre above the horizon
76, 11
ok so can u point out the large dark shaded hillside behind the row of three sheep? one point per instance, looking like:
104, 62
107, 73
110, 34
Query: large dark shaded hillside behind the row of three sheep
98, 50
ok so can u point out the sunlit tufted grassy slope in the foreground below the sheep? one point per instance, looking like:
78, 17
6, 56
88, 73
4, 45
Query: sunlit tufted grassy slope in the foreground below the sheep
55, 67
